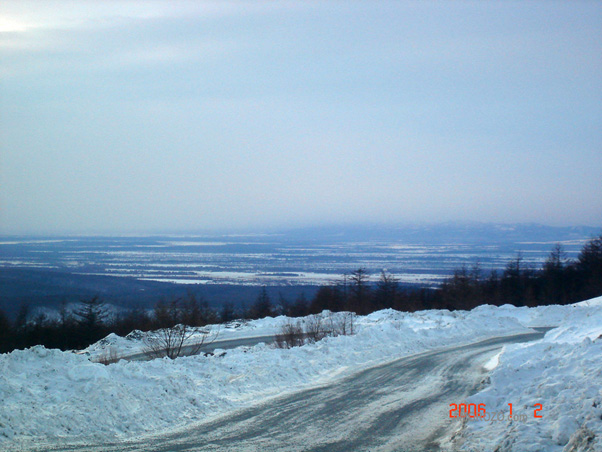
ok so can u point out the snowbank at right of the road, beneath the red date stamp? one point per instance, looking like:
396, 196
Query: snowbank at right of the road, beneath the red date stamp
563, 373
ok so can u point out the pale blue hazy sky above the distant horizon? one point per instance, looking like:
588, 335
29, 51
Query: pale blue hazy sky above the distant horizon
141, 116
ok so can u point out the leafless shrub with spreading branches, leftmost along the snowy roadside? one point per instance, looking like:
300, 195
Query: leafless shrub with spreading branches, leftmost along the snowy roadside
176, 341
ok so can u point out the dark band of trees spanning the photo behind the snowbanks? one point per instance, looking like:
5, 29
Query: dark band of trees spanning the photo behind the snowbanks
558, 281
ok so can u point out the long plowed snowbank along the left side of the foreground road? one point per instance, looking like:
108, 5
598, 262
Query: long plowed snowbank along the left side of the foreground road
50, 396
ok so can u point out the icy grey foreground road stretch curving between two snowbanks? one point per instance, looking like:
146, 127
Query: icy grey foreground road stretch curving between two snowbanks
399, 406
